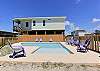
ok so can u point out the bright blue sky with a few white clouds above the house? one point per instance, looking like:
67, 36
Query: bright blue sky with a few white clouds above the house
82, 14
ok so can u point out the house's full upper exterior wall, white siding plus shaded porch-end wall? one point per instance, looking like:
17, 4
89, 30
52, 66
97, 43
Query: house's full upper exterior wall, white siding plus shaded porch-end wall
51, 23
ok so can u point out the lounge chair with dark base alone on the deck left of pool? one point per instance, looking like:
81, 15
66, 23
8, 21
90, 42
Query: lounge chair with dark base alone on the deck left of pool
18, 51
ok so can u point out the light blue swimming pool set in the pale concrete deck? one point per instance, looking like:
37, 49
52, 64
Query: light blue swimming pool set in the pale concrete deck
48, 47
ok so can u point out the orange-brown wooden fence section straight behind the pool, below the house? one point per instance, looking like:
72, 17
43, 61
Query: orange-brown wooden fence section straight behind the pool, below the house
45, 38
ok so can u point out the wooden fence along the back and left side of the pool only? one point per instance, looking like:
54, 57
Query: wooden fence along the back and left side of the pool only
31, 38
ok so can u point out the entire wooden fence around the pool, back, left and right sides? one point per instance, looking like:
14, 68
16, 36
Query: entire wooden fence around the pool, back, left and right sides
94, 45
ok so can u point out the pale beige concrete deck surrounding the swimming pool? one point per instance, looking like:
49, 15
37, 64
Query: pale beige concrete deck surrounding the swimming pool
77, 57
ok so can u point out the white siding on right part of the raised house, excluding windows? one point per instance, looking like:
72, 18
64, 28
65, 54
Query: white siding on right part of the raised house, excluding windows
52, 24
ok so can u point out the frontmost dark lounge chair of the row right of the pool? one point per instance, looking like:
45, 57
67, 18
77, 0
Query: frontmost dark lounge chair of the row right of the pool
83, 47
